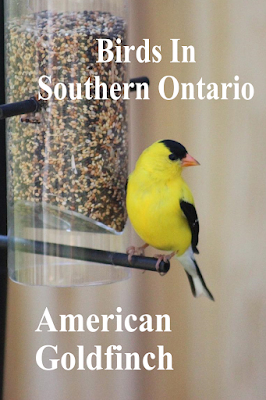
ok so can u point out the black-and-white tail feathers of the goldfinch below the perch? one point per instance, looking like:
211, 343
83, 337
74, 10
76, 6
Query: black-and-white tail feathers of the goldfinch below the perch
197, 283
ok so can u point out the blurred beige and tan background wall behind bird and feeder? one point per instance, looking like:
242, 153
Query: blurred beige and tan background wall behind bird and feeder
219, 349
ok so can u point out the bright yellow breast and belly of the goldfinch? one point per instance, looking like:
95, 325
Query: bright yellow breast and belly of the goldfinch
155, 213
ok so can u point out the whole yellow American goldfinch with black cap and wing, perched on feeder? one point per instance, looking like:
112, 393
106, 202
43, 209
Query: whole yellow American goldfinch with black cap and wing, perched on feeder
161, 208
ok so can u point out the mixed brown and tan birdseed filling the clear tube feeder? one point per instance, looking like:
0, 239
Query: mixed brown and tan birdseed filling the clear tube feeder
75, 160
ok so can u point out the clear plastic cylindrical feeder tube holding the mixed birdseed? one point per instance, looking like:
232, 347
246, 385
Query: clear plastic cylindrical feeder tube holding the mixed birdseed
67, 165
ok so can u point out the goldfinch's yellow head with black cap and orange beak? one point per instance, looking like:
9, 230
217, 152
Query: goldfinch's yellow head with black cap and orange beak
166, 157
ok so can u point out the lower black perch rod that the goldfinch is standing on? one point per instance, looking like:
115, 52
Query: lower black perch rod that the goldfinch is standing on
85, 254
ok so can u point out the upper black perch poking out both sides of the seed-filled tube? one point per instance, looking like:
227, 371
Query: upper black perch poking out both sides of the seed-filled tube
32, 105
